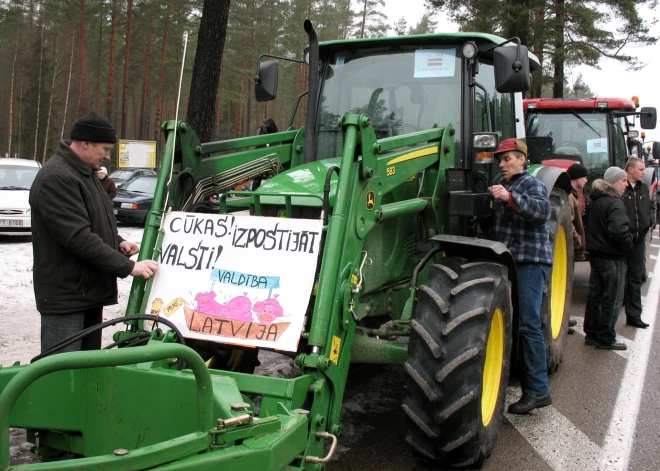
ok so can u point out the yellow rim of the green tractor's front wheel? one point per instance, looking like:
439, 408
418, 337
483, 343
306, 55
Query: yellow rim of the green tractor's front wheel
493, 367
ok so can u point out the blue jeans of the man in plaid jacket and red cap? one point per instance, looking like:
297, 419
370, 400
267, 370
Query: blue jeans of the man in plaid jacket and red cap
531, 277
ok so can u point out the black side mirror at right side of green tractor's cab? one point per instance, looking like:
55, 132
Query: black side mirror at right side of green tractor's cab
511, 69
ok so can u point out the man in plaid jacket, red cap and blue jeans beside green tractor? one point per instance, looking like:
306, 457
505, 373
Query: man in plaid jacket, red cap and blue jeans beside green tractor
520, 222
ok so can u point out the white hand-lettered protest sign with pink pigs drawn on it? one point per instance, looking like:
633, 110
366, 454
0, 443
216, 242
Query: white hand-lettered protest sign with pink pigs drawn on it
241, 280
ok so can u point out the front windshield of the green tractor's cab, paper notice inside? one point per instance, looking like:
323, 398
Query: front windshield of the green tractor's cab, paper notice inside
401, 90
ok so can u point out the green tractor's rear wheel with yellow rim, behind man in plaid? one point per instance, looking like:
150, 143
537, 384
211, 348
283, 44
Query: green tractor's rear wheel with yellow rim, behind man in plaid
558, 287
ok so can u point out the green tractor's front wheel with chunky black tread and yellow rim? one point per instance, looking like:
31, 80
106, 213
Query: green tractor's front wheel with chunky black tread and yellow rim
446, 361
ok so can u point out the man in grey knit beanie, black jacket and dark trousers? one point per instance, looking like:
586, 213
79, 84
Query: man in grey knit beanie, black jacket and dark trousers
610, 244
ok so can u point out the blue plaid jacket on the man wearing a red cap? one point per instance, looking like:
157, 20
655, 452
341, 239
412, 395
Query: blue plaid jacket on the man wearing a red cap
522, 223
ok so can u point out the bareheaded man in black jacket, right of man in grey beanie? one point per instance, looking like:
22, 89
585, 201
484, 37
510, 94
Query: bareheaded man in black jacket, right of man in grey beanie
638, 203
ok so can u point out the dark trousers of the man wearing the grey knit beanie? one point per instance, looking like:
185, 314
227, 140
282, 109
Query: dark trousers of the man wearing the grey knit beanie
604, 300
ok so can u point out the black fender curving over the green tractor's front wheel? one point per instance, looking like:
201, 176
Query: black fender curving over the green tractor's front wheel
472, 248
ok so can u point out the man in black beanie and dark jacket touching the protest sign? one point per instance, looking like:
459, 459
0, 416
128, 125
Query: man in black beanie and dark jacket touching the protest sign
78, 253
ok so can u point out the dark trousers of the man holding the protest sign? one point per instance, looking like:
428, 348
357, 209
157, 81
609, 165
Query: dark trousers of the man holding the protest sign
57, 327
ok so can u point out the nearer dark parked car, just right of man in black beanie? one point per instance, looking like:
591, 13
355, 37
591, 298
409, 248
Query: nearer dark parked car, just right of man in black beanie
133, 200
